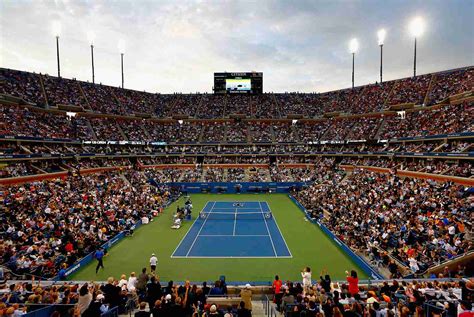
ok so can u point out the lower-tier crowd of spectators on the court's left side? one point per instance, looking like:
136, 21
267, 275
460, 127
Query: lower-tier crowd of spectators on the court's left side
49, 224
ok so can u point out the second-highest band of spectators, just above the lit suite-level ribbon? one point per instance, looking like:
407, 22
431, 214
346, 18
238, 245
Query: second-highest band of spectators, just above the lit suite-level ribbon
24, 121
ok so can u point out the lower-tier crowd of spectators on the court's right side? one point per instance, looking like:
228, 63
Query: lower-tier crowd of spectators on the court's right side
417, 222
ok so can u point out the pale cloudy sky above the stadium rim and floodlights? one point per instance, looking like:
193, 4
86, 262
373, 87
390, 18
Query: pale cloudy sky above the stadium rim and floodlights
176, 46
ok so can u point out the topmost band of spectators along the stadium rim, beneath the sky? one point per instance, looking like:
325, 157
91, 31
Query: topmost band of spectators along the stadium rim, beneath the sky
112, 100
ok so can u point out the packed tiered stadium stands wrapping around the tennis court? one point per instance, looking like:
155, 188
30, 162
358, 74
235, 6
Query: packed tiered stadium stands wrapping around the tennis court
397, 155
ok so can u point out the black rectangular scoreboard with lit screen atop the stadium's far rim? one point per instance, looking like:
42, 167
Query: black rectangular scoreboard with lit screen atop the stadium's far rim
238, 83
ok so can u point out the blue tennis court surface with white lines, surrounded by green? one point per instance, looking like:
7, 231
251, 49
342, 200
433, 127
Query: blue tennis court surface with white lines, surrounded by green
233, 230
